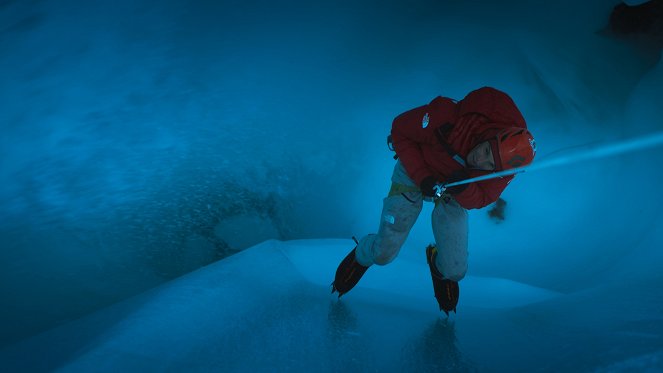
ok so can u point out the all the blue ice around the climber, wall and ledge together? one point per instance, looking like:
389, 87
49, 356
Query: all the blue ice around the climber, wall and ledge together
144, 140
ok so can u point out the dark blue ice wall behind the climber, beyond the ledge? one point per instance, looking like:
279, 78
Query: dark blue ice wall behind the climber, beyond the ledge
142, 140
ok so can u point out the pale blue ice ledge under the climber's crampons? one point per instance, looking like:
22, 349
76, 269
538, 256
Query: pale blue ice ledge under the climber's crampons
269, 308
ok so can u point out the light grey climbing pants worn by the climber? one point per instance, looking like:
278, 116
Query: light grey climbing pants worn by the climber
399, 213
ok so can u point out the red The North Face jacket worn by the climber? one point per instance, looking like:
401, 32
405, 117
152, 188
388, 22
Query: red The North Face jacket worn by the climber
476, 118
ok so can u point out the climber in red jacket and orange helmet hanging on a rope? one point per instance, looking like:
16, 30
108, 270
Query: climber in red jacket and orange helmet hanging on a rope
438, 144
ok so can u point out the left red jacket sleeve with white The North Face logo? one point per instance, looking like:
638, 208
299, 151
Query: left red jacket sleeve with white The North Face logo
410, 130
